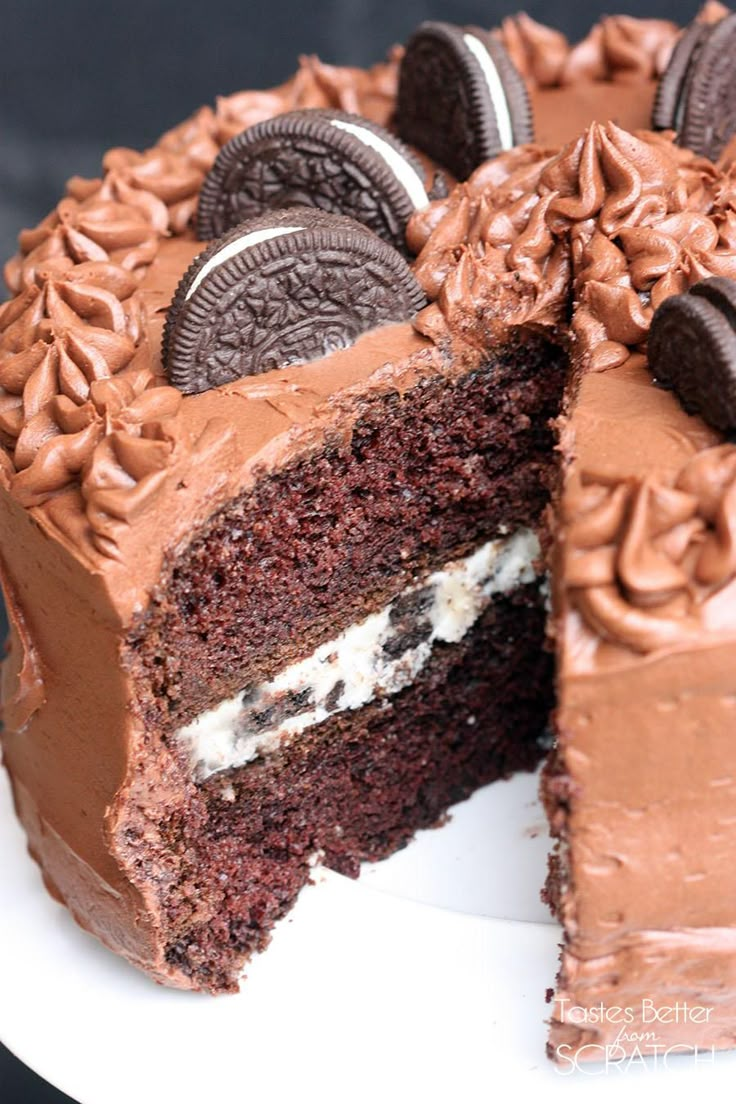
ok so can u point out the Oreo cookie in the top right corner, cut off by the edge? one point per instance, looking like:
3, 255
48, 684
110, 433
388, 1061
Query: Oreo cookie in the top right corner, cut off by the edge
697, 95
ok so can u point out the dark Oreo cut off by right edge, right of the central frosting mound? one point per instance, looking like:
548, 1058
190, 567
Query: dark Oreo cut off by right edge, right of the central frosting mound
692, 349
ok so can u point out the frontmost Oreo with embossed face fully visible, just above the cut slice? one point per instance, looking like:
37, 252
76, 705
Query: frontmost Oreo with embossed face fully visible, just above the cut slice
284, 289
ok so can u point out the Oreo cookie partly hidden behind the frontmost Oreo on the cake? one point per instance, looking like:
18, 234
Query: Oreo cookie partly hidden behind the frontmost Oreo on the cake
327, 160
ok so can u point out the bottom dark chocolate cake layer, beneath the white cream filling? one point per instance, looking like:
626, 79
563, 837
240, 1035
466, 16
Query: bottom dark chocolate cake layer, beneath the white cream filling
355, 788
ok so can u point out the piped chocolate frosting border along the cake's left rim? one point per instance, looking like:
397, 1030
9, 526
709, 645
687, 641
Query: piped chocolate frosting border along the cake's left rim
80, 406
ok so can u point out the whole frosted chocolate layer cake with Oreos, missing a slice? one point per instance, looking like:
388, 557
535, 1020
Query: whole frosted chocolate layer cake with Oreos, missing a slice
278, 579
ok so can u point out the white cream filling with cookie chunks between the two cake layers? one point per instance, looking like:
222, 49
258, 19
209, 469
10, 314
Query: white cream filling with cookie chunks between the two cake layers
378, 656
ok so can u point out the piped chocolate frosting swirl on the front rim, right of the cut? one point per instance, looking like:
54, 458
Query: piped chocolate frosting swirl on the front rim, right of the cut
649, 564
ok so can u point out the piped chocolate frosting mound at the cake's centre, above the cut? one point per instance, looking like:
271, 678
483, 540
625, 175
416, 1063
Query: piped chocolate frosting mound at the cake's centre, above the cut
637, 218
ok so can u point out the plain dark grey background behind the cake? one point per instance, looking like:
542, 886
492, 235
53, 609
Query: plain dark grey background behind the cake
80, 77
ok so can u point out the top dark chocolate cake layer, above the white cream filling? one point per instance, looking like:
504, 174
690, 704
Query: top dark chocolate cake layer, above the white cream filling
423, 479
